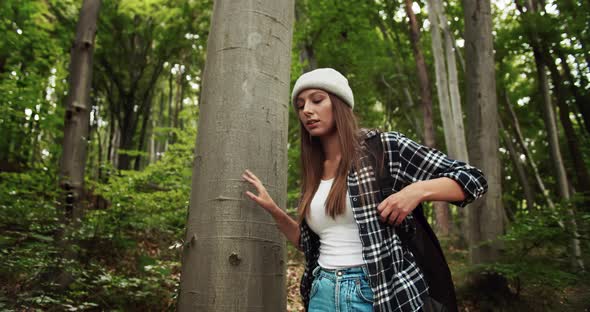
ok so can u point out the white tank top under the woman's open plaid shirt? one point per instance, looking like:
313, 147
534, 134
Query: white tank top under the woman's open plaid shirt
340, 244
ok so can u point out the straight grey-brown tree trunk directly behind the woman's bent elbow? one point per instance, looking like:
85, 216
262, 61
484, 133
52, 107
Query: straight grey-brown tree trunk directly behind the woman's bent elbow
486, 215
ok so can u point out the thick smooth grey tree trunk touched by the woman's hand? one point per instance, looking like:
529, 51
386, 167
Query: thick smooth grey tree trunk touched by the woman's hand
234, 257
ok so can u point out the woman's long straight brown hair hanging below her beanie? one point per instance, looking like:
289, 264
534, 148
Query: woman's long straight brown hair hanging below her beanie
312, 159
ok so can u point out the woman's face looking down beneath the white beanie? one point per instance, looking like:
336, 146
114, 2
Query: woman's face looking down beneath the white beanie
314, 109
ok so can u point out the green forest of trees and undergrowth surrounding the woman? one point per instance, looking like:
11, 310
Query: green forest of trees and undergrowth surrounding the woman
106, 165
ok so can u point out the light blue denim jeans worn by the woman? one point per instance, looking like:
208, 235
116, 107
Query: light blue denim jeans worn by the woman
345, 290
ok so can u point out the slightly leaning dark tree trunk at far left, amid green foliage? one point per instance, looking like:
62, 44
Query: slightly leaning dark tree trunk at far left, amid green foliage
77, 118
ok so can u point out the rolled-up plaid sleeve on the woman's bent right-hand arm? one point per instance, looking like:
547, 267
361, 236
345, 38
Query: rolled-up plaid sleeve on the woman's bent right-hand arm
410, 161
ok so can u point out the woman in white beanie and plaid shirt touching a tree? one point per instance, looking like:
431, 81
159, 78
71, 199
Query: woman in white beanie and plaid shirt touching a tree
355, 259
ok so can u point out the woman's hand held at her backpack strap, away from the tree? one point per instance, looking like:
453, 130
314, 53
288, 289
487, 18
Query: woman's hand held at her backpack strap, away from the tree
395, 208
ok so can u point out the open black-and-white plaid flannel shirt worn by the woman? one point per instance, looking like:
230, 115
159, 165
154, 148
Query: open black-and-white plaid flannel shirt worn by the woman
396, 281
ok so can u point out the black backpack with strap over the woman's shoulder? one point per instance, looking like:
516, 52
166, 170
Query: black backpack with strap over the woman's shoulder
423, 243
